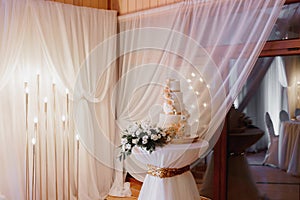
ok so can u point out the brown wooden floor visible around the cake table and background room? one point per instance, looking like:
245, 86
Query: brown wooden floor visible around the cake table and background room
273, 183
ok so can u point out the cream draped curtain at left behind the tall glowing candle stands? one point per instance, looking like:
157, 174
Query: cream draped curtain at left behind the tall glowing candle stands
44, 44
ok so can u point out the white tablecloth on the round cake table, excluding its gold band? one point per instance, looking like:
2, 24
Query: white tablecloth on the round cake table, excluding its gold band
178, 187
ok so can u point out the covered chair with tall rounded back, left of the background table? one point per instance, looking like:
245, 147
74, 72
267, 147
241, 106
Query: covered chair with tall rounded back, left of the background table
271, 157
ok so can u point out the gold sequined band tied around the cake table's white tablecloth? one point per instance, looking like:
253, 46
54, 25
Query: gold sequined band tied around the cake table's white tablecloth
166, 172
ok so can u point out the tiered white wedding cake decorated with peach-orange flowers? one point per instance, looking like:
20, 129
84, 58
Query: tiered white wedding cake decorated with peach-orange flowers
174, 116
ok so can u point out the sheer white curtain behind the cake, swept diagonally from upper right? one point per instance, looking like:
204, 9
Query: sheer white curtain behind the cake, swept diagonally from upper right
195, 42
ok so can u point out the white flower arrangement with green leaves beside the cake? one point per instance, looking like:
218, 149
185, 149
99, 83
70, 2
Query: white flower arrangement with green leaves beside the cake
144, 135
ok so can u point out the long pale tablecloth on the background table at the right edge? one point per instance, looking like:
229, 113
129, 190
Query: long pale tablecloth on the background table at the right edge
289, 147
